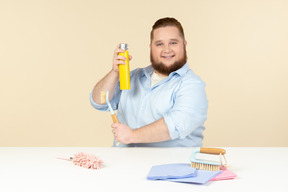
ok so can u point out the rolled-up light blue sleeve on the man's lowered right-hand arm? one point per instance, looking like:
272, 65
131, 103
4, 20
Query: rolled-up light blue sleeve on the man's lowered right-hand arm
189, 111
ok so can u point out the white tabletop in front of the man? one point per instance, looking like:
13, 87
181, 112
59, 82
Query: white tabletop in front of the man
125, 169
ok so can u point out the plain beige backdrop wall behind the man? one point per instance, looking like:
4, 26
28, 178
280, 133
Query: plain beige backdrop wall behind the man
53, 52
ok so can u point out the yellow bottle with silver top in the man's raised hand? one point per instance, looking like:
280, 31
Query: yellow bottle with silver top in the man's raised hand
124, 71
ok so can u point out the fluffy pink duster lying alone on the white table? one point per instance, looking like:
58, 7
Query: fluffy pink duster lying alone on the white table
85, 160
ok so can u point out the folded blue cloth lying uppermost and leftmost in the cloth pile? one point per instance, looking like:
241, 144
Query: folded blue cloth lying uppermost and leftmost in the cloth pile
171, 171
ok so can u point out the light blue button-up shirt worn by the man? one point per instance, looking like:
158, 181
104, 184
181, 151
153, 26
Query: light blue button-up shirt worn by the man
180, 99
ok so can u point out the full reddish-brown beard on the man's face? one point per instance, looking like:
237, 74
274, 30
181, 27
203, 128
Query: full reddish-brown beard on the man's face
166, 70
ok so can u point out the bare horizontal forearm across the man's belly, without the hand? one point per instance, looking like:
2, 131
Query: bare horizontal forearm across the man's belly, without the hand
154, 132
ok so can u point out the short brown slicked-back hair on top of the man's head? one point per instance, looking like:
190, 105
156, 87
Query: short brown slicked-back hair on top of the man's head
165, 22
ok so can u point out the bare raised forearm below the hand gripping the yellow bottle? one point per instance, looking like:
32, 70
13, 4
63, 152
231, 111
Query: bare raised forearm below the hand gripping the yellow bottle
108, 83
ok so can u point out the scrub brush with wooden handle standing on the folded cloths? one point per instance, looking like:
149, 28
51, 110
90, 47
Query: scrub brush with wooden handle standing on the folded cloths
209, 165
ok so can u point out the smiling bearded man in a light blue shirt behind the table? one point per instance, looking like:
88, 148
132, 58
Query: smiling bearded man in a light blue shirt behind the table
167, 104
